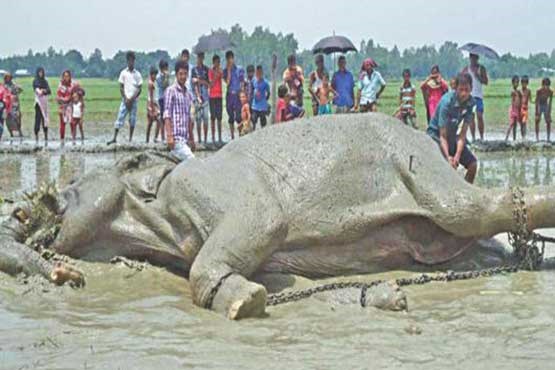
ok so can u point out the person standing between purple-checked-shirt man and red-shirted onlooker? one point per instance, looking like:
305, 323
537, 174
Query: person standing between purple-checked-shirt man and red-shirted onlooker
201, 96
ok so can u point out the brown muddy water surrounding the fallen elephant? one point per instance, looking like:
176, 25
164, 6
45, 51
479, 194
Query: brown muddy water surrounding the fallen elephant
145, 320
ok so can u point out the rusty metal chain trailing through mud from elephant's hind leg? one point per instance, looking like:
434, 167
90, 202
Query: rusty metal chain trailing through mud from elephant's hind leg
525, 249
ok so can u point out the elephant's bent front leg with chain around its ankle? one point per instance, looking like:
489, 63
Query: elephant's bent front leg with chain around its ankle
241, 242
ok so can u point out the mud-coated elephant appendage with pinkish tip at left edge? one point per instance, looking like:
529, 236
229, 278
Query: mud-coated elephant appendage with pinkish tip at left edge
16, 258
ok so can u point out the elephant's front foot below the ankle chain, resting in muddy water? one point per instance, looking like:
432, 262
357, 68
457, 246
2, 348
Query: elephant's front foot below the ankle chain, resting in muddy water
238, 298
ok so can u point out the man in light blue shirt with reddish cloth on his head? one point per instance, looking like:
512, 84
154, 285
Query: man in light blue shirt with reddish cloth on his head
370, 87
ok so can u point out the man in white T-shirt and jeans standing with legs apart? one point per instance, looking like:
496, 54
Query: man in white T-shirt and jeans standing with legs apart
130, 82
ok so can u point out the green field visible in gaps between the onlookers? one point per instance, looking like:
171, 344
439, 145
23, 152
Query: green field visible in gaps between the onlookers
102, 102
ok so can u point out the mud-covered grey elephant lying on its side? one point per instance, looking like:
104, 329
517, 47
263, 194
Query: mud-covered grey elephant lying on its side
322, 197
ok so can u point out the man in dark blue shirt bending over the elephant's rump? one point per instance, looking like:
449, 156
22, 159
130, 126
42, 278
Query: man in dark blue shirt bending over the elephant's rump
449, 125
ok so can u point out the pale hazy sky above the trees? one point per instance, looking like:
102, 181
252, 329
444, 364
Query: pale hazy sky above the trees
517, 26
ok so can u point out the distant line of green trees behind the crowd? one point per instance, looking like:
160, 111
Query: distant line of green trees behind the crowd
258, 46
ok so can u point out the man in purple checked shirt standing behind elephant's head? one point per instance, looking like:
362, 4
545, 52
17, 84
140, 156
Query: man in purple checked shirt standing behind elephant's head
177, 115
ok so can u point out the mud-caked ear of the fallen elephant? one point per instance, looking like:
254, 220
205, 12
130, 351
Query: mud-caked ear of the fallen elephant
143, 173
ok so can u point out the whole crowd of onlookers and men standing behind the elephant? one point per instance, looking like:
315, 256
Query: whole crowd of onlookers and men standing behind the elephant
196, 98
